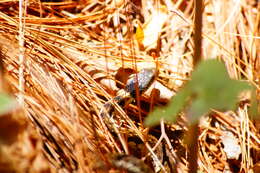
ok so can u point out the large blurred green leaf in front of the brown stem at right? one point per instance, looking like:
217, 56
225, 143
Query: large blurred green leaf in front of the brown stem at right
210, 88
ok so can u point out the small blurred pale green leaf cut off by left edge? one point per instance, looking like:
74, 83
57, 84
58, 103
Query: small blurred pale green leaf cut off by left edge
6, 103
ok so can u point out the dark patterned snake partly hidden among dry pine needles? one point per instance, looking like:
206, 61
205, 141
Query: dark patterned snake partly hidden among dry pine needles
136, 85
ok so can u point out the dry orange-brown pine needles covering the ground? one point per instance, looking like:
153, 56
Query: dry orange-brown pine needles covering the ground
61, 61
